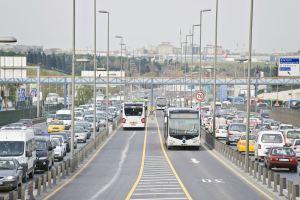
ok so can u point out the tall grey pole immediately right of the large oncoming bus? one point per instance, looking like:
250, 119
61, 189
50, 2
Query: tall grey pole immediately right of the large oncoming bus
215, 69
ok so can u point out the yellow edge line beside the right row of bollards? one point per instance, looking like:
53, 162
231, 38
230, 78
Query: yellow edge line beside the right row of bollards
238, 174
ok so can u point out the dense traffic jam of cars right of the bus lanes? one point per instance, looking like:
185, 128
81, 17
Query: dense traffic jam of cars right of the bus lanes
275, 144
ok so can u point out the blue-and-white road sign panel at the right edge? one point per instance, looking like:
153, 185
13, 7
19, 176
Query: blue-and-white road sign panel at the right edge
289, 66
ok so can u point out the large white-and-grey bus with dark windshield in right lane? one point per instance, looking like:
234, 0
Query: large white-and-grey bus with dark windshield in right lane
182, 127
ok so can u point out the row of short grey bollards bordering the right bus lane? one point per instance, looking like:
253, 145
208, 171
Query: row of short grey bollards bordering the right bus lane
278, 183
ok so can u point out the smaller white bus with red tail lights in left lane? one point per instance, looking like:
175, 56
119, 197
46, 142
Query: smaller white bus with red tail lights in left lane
134, 115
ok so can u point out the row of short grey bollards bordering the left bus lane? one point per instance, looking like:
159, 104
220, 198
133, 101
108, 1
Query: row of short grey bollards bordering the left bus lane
39, 186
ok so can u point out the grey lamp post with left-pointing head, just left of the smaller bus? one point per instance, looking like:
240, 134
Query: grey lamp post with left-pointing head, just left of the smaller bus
107, 67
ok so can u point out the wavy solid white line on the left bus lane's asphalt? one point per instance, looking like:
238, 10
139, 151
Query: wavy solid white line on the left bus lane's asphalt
118, 172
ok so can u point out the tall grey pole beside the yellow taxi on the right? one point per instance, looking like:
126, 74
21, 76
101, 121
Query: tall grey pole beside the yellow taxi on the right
248, 86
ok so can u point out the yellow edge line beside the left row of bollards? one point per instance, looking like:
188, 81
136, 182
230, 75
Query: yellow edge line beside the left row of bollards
48, 196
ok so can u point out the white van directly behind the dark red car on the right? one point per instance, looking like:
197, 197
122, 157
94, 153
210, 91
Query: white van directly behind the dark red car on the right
266, 140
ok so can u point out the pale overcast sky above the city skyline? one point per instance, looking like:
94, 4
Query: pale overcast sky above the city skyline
276, 25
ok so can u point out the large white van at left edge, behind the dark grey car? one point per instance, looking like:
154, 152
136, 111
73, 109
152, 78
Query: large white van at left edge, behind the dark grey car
19, 144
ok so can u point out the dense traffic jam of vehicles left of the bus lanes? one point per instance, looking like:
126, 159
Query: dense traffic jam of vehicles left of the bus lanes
27, 149
